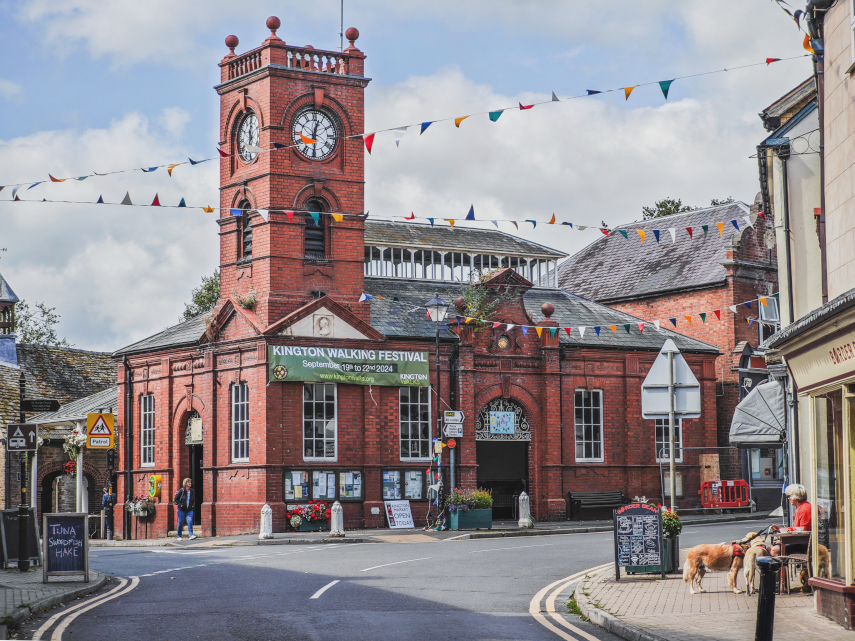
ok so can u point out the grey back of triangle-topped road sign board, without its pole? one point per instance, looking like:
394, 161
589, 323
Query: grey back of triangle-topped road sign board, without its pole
655, 399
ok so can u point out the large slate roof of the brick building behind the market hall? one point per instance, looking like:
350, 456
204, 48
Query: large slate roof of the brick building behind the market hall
614, 269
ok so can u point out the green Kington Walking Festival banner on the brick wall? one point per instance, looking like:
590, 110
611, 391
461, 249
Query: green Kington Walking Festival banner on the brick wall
354, 366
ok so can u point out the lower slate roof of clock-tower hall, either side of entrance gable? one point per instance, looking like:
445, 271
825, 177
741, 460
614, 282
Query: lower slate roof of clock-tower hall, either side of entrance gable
395, 319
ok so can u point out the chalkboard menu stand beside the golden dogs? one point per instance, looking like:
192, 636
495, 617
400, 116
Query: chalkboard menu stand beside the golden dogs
638, 539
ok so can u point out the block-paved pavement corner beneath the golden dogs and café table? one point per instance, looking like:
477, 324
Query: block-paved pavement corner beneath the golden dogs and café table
647, 608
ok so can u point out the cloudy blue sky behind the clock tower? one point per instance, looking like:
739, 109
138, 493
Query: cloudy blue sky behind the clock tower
107, 84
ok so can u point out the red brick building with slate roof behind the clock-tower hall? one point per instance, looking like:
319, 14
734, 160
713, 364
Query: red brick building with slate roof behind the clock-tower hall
712, 271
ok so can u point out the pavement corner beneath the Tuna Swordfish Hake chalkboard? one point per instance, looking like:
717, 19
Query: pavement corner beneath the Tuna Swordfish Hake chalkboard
24, 593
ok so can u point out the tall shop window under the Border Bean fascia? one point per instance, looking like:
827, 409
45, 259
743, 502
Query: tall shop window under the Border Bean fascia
830, 479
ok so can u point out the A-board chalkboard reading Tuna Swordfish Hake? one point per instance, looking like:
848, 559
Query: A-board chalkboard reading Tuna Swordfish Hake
66, 544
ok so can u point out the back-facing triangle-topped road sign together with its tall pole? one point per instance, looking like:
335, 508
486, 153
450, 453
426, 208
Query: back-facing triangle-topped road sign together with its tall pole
670, 389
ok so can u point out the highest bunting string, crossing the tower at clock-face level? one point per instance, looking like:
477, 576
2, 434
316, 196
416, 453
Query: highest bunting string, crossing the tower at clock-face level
398, 131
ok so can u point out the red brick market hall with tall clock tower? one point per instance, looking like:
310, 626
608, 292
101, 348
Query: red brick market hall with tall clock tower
213, 399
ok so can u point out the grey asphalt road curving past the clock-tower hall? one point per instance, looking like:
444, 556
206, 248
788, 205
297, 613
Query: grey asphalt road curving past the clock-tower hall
476, 589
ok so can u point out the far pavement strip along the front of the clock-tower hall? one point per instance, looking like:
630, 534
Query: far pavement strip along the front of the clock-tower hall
500, 529
